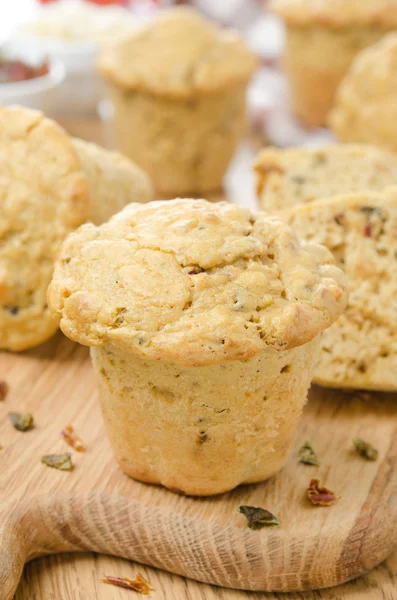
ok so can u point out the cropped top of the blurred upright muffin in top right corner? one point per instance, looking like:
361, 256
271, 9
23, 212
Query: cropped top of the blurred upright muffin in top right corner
337, 13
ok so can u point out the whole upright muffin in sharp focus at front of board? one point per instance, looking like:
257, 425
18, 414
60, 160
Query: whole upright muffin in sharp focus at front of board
203, 320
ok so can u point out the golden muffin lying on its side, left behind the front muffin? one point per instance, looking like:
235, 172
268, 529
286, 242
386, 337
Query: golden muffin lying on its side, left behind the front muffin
49, 184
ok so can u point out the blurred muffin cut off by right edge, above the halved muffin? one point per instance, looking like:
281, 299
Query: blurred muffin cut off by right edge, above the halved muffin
365, 108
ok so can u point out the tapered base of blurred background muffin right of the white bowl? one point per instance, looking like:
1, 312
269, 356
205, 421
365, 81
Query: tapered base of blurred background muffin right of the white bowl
185, 145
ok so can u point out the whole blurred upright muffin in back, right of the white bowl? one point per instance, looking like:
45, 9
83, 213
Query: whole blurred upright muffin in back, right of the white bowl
178, 88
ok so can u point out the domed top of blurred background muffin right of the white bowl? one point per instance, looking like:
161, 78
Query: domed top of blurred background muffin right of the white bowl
178, 54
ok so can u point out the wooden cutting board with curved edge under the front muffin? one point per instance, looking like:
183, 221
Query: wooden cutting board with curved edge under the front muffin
96, 507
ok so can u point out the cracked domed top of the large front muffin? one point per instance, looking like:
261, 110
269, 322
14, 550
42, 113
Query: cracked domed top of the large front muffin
194, 282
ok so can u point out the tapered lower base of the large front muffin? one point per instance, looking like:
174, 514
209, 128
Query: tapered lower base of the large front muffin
202, 430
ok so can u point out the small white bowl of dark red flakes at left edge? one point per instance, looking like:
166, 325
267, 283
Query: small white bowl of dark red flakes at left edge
35, 93
